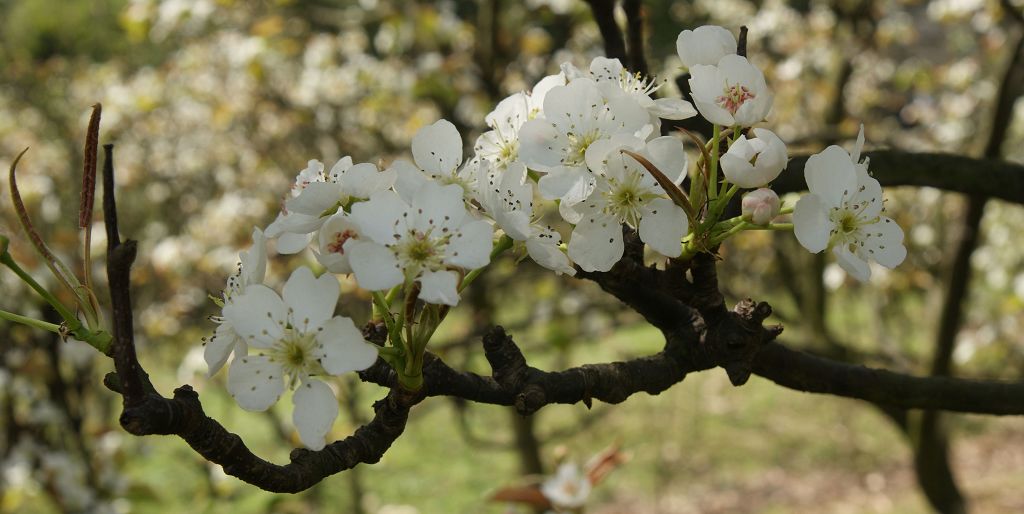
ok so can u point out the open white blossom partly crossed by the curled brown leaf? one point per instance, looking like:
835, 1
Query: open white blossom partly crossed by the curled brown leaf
627, 193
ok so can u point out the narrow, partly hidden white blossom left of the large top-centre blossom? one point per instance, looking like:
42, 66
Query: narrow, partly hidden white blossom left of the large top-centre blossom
500, 146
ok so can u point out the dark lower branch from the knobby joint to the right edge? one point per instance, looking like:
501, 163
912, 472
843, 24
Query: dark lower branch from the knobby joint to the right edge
807, 373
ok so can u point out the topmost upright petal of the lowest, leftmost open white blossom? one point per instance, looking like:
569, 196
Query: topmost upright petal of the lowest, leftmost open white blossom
313, 301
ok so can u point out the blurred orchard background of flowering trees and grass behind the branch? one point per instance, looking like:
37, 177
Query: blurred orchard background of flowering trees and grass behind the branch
216, 105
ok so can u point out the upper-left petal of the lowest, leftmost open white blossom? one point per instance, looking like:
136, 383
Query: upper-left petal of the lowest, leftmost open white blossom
259, 316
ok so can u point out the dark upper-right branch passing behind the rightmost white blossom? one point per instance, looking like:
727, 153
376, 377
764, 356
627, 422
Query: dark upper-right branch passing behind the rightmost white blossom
985, 178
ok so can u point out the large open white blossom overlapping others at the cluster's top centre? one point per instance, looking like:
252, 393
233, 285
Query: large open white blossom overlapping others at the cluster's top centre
575, 117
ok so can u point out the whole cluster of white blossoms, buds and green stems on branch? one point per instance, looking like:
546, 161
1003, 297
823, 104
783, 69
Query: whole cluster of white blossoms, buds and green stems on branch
588, 142
